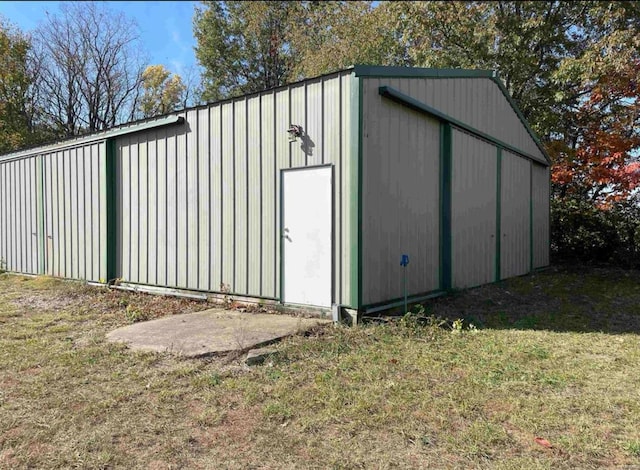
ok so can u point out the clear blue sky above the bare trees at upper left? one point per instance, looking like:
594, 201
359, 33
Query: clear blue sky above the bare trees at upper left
165, 27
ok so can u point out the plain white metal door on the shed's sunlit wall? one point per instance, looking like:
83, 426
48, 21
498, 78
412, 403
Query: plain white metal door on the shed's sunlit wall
307, 236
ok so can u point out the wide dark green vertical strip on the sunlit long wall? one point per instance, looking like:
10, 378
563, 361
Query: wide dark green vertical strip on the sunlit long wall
111, 209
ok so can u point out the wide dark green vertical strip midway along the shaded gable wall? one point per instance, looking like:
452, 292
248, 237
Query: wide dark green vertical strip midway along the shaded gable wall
445, 206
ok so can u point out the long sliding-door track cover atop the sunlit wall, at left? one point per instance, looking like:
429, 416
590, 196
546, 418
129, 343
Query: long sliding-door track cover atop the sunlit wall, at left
124, 129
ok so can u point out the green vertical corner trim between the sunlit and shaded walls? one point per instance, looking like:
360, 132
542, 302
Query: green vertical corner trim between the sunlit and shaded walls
356, 171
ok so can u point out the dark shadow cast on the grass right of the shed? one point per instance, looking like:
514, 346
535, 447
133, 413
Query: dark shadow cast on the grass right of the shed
562, 298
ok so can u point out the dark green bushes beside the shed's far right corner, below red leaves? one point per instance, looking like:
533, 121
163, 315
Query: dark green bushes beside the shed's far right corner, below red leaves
582, 231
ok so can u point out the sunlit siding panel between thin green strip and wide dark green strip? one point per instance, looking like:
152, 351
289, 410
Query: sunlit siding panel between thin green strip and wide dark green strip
74, 202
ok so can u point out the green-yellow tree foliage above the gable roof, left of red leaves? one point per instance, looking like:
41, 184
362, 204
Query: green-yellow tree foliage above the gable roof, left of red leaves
545, 52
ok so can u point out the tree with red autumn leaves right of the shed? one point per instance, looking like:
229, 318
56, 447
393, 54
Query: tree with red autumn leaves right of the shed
600, 163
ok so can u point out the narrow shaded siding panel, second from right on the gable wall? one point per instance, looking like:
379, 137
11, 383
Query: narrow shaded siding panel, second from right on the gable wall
515, 224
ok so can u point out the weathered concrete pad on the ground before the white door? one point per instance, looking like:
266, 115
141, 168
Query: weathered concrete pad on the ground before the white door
210, 332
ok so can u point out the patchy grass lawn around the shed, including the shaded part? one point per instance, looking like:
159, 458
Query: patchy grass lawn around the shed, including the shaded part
555, 356
